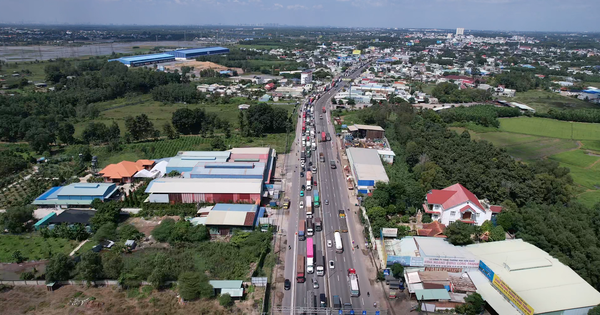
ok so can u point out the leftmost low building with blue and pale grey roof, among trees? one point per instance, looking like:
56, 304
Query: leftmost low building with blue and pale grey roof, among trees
75, 195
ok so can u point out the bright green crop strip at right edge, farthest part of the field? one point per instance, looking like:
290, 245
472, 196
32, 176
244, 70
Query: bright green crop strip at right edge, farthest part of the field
551, 128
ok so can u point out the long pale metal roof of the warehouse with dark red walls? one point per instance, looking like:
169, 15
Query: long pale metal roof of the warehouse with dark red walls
205, 186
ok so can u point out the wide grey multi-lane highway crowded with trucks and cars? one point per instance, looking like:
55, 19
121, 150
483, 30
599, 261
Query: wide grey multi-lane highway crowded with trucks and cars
332, 187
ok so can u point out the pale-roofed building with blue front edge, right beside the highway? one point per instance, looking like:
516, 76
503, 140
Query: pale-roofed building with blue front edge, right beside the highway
366, 168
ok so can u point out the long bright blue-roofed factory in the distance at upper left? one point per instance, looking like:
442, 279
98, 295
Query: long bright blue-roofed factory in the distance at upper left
181, 54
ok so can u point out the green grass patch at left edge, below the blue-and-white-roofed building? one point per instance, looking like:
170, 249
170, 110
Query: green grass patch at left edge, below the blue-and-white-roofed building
32, 247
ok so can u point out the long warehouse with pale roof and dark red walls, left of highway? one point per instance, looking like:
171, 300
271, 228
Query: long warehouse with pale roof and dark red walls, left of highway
195, 190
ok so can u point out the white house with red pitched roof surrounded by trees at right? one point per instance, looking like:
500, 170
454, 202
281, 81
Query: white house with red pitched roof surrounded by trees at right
456, 203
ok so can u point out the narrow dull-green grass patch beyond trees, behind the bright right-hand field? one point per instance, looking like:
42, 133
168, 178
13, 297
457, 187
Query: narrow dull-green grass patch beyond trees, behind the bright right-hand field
542, 101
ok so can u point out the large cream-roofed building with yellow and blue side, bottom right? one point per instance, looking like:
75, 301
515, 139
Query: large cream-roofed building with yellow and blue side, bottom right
515, 277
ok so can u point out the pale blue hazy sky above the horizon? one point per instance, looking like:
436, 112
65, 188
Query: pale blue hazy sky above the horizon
515, 15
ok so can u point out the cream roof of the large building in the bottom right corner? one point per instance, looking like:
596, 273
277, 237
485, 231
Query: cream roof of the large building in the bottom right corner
541, 280
